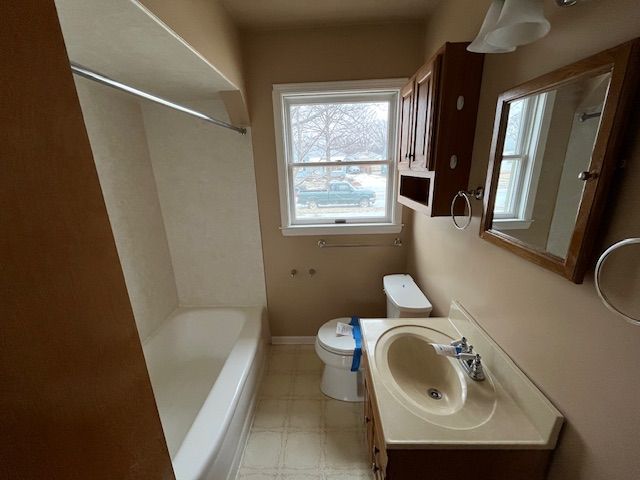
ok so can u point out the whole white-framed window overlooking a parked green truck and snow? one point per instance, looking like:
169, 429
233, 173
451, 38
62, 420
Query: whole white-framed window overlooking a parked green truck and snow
336, 142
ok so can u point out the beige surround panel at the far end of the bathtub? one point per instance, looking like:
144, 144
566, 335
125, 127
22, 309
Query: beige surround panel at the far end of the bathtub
207, 191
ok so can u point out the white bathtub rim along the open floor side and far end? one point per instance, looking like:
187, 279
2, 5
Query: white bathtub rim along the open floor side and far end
191, 461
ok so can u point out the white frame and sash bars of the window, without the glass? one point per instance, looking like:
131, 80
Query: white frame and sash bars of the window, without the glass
283, 96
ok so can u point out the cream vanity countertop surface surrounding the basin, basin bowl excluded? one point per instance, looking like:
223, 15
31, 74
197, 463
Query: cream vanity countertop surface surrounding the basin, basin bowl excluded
519, 416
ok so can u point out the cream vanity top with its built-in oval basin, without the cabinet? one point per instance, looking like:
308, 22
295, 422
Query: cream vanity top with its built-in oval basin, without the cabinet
428, 401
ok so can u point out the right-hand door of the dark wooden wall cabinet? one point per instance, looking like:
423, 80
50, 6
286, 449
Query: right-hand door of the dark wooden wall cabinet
426, 100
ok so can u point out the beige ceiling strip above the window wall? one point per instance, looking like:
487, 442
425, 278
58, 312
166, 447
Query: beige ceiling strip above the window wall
296, 13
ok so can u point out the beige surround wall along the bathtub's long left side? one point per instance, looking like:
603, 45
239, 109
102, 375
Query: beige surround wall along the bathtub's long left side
116, 131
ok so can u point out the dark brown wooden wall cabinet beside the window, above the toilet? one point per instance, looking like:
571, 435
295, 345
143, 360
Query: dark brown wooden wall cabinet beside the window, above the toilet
438, 109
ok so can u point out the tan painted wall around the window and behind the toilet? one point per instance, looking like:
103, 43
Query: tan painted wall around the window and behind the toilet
349, 281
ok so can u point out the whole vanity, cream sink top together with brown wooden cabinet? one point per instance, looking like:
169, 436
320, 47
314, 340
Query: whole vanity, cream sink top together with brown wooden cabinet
427, 418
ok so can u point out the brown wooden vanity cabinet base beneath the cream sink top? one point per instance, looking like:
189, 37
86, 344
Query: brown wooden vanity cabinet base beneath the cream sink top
428, 463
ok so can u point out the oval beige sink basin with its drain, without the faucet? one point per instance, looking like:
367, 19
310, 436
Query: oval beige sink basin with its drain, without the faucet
431, 386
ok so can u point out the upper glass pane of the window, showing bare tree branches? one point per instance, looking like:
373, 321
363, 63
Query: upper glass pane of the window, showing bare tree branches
339, 131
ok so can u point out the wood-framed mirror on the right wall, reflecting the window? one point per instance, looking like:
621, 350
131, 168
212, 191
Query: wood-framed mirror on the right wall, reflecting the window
553, 157
